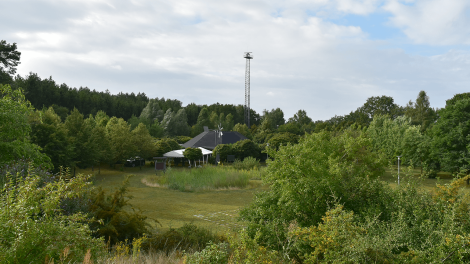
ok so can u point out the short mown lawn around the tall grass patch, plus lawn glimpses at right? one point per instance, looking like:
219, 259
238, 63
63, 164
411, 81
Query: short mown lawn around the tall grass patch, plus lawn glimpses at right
213, 209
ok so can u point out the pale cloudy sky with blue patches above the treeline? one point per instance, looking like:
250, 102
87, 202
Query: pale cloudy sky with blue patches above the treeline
323, 56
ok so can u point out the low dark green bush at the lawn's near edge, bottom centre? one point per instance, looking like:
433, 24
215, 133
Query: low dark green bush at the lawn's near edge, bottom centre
188, 237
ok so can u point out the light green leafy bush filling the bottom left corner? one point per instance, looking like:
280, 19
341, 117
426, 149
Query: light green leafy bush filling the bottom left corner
32, 227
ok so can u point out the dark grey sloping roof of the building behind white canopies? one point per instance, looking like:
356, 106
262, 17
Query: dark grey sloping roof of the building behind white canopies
207, 139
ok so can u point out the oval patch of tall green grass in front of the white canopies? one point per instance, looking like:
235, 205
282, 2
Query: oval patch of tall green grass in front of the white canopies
208, 177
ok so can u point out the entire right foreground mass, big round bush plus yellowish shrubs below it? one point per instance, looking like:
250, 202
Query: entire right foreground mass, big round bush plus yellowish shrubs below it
325, 205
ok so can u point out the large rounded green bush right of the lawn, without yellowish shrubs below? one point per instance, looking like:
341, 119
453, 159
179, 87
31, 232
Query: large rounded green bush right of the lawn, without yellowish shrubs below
305, 177
